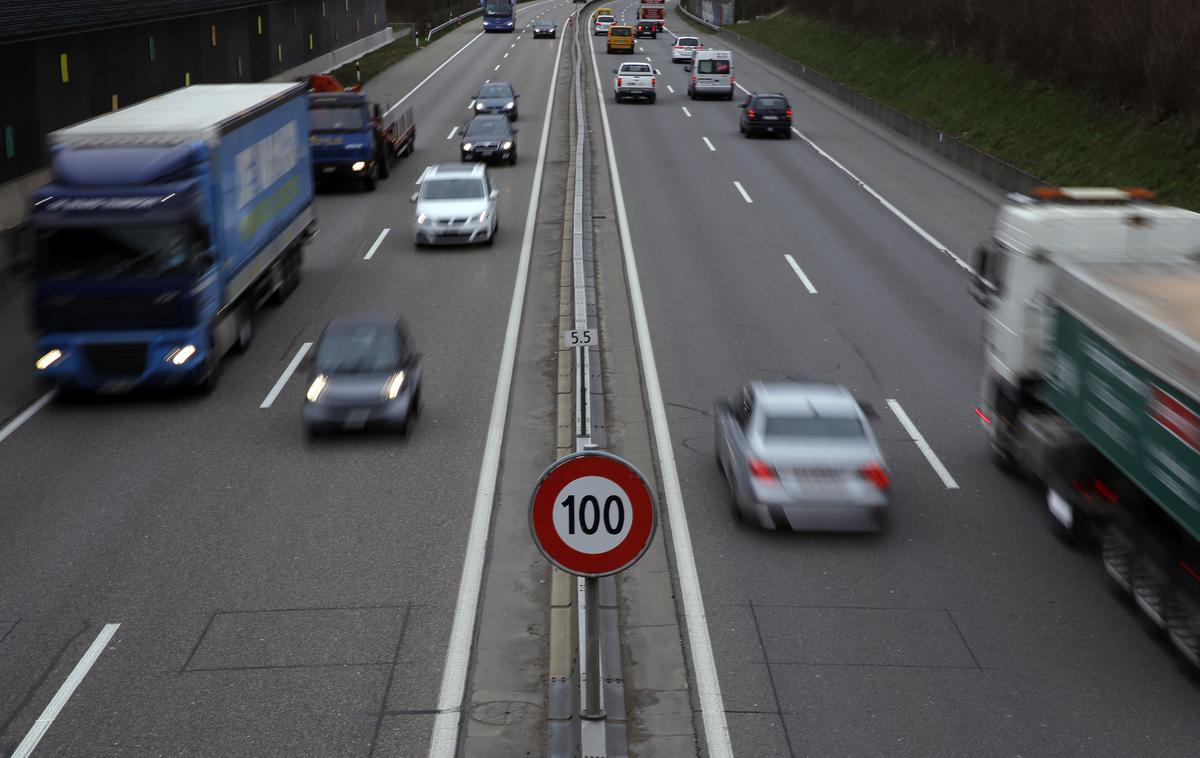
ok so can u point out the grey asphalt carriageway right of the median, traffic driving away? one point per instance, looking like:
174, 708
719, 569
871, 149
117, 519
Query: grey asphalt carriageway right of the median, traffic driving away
967, 629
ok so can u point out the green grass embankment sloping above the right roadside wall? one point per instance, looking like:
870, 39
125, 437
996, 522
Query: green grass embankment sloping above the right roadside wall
1058, 135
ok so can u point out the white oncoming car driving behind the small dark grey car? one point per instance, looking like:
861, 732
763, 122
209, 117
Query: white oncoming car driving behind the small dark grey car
457, 204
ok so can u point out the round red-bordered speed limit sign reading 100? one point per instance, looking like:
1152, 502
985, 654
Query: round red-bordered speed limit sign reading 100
592, 514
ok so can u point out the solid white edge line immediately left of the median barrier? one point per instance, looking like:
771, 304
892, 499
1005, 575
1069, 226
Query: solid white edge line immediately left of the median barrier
445, 738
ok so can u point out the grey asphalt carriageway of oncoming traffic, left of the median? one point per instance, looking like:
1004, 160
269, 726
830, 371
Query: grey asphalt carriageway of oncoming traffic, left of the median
273, 597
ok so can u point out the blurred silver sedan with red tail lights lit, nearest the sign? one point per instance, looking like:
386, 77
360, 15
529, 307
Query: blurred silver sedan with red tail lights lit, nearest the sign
802, 456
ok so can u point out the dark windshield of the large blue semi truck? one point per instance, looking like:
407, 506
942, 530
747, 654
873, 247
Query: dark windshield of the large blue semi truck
117, 252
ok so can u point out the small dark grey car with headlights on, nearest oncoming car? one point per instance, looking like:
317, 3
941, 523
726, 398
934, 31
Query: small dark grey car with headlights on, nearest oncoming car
364, 374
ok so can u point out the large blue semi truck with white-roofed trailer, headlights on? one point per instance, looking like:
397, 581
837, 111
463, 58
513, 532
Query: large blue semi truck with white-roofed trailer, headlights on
165, 227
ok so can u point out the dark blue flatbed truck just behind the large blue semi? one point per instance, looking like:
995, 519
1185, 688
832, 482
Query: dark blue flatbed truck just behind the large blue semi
353, 140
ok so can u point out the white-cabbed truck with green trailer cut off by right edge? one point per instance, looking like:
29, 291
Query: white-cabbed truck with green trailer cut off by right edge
1091, 386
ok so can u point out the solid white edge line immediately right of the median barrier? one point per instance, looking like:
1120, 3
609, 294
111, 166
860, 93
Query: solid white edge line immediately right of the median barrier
709, 689
